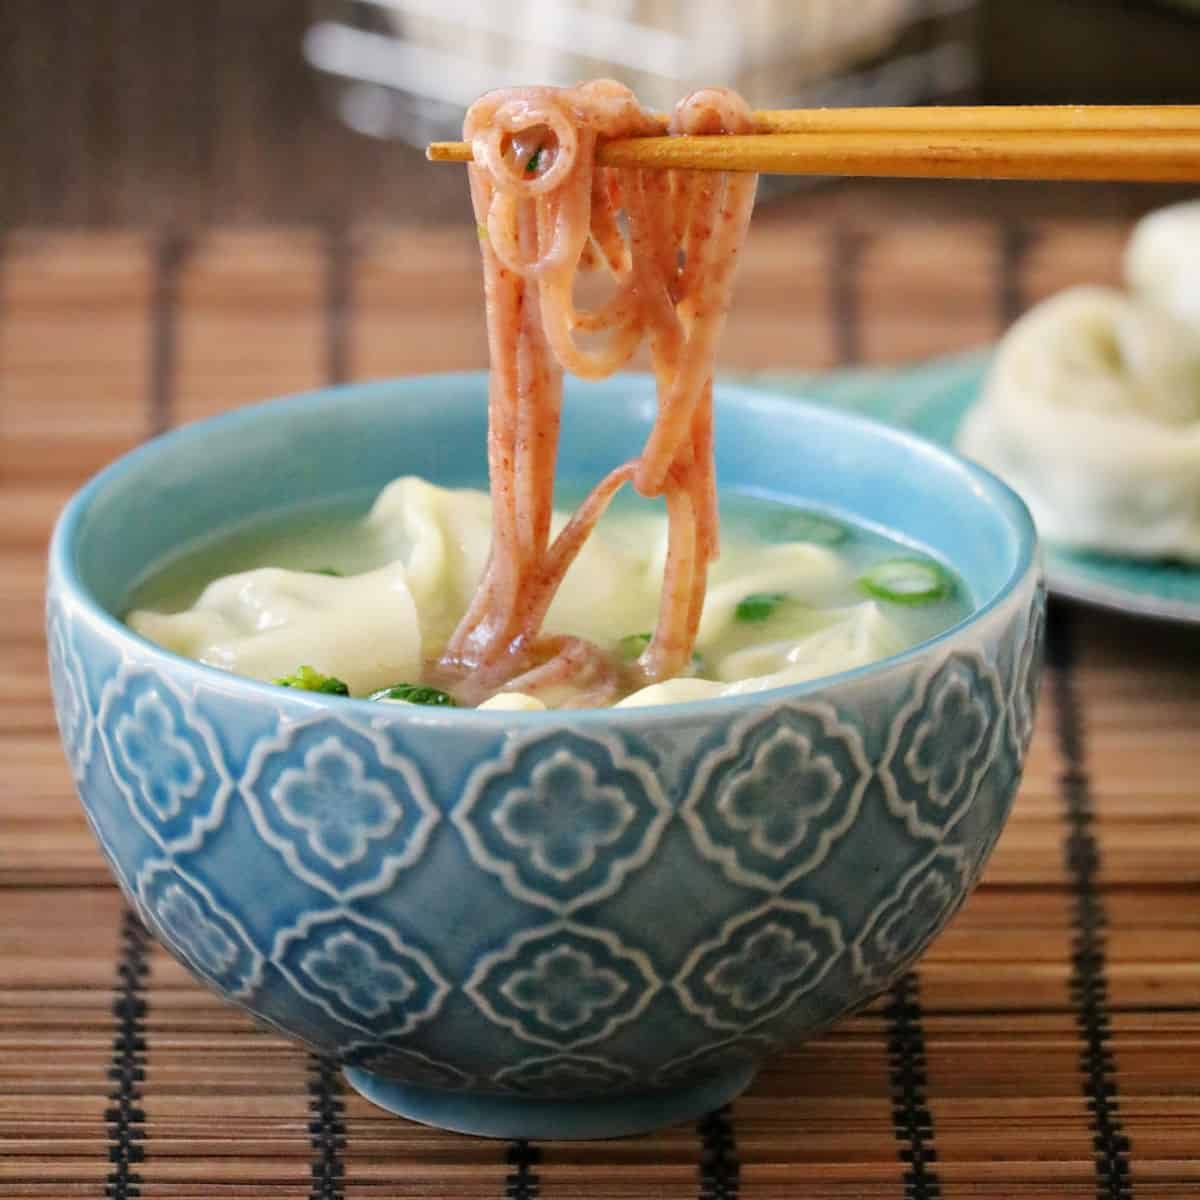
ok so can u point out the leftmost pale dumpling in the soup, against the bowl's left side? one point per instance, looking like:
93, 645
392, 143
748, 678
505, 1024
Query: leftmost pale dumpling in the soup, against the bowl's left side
268, 622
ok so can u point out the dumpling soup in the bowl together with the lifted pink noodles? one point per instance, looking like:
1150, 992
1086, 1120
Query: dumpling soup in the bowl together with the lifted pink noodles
500, 601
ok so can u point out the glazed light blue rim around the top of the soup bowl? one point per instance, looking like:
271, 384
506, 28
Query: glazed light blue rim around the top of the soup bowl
63, 574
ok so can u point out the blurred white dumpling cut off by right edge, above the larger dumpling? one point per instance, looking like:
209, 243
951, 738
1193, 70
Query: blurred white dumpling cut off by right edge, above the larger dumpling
1162, 262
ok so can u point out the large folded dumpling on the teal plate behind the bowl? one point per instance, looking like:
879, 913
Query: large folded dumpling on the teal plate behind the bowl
1091, 411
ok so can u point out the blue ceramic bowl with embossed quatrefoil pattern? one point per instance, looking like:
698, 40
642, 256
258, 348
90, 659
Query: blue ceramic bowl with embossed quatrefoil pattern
543, 925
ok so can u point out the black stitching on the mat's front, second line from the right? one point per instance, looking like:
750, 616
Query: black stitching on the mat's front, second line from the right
911, 1120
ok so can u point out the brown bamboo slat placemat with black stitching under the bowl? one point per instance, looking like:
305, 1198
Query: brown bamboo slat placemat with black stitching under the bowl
1049, 1046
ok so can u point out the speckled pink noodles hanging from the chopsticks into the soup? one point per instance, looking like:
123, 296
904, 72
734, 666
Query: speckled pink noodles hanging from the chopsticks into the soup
669, 244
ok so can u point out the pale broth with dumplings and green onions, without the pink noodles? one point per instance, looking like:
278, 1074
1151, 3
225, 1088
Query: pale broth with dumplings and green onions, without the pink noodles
370, 597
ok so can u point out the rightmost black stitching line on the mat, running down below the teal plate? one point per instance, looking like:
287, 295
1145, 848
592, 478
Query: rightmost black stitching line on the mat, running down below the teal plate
1089, 958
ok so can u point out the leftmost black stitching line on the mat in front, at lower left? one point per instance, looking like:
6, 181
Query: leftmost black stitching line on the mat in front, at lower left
125, 1117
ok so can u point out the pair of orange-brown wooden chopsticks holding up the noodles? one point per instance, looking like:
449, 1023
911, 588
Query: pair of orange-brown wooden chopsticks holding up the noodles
1159, 143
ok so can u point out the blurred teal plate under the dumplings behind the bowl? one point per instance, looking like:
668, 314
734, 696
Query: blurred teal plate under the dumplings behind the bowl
932, 399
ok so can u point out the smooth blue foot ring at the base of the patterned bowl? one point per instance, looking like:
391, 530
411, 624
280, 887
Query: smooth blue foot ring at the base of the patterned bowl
518, 1117
